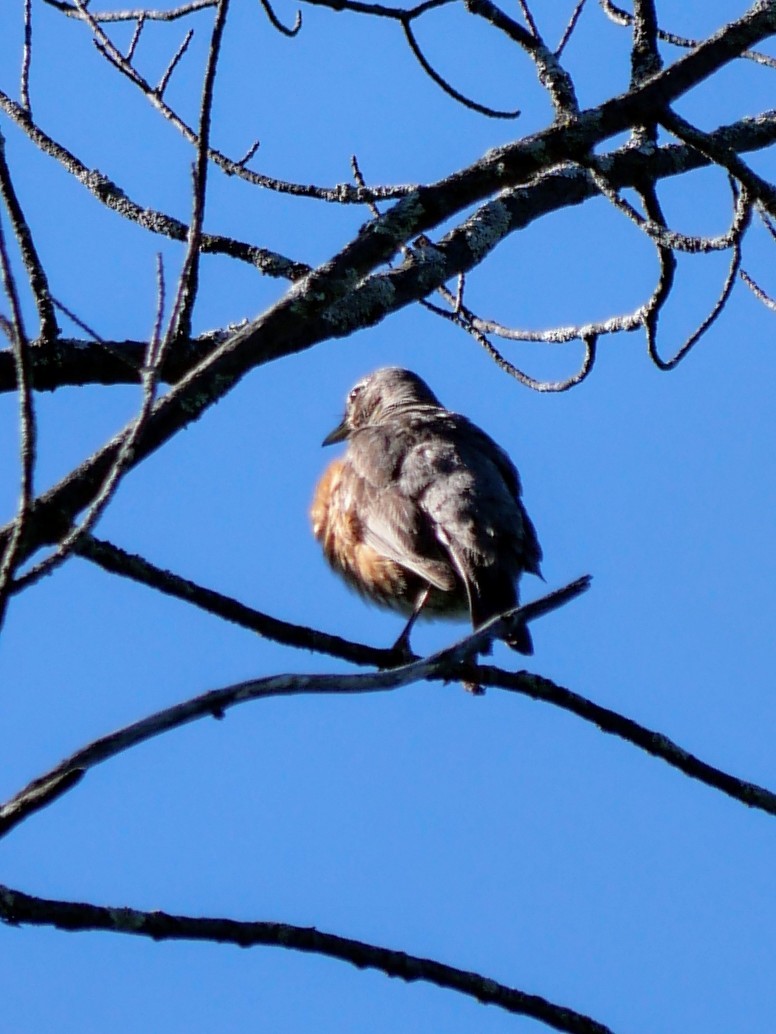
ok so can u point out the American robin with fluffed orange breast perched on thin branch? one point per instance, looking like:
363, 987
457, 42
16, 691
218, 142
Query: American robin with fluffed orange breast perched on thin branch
424, 514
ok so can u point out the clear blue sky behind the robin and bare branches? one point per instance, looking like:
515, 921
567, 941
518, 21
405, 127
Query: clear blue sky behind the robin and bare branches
494, 834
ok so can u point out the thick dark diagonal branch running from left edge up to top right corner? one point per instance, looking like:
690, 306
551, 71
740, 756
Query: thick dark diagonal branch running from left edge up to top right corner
307, 314
